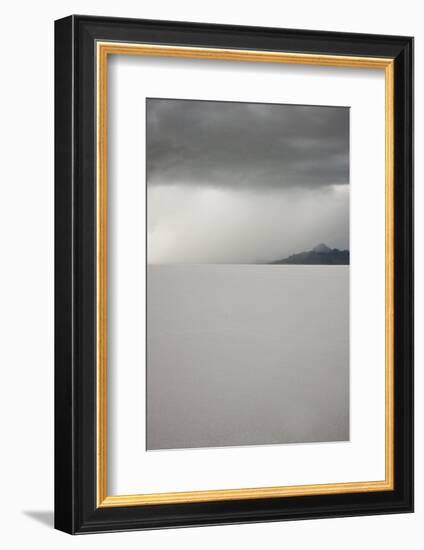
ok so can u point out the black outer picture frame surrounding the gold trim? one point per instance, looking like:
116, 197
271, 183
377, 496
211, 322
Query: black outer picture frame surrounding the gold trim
76, 509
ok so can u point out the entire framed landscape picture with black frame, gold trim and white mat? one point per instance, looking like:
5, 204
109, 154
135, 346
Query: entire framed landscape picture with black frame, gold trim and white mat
234, 278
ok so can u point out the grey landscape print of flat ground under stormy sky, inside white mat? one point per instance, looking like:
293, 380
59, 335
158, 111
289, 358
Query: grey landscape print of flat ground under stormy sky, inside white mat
247, 274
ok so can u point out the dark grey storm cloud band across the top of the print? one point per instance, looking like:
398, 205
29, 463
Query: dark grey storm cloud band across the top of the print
246, 146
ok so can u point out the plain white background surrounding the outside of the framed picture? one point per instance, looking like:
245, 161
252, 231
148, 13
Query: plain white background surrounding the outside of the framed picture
26, 273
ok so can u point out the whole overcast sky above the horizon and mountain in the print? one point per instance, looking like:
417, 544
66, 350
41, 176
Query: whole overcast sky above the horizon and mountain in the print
243, 182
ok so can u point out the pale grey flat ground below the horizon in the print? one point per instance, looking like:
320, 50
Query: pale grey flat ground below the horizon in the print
247, 355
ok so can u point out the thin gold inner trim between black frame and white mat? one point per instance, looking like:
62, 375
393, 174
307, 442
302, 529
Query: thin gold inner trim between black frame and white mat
118, 48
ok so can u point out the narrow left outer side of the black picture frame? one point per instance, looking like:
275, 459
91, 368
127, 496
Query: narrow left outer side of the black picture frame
64, 449
